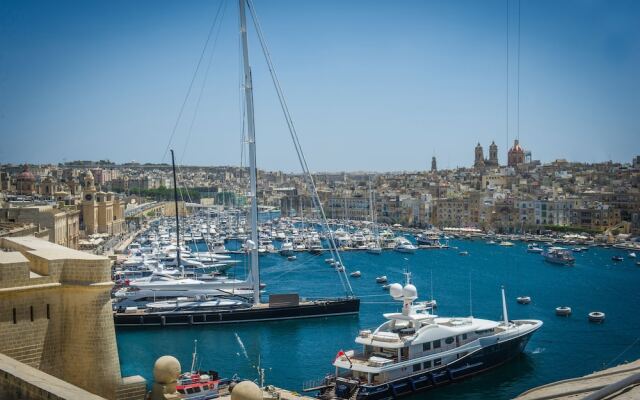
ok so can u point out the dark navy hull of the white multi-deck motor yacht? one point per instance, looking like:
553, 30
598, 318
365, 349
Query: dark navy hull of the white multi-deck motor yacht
473, 364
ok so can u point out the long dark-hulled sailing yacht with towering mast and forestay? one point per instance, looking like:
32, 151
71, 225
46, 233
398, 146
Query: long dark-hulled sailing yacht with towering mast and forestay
279, 306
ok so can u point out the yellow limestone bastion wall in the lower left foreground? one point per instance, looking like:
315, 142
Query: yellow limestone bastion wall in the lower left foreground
56, 324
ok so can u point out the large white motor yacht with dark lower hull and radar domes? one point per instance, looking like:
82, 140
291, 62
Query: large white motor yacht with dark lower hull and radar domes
414, 351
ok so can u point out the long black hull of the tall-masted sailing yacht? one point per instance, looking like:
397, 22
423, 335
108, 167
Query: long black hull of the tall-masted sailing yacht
320, 308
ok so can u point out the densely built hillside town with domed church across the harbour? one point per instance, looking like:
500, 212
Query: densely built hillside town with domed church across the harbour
75, 202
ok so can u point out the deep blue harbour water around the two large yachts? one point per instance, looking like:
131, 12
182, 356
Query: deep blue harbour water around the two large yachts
295, 351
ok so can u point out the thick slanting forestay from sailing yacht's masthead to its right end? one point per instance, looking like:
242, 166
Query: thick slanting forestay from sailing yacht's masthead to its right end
294, 136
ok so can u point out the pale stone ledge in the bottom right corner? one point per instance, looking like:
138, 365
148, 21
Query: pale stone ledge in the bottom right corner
621, 382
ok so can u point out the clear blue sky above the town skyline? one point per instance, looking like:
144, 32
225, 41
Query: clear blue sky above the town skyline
375, 85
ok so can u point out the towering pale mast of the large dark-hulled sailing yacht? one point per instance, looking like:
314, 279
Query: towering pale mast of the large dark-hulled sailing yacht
251, 131
